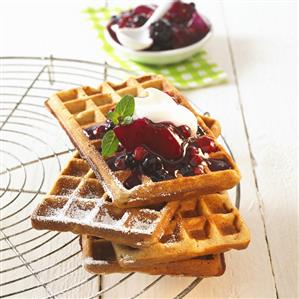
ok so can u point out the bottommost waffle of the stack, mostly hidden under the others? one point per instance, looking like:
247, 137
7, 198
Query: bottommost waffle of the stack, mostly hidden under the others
99, 257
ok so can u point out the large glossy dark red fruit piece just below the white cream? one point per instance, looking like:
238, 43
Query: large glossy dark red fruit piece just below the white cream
161, 139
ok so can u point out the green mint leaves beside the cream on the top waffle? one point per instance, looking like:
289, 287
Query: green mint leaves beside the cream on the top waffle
122, 115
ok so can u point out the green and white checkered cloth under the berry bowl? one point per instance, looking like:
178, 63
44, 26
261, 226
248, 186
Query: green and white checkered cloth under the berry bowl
192, 73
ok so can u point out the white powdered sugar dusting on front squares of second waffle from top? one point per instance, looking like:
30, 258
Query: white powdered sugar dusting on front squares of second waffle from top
100, 214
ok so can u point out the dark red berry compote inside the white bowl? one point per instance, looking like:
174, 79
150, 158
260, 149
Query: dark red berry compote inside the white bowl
181, 26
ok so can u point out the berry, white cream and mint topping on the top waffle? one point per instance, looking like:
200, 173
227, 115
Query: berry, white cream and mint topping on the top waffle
168, 145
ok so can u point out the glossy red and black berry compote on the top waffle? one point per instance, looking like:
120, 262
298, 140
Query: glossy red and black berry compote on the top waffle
160, 151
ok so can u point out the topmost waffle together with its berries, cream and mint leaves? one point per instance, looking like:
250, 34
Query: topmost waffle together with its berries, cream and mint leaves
144, 170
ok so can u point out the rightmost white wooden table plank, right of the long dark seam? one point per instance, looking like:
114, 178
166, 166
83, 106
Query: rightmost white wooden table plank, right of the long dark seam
266, 72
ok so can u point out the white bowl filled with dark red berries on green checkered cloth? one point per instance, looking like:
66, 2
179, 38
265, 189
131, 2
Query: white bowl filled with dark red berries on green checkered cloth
177, 35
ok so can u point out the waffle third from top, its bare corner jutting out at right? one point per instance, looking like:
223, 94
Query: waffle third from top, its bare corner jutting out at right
208, 224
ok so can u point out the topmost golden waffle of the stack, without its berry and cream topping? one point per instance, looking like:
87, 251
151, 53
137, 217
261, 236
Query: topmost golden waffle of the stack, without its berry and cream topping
83, 107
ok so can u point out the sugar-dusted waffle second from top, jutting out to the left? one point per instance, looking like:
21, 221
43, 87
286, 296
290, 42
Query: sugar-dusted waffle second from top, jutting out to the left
77, 203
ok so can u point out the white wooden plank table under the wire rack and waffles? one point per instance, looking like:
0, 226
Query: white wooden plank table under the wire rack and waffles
255, 43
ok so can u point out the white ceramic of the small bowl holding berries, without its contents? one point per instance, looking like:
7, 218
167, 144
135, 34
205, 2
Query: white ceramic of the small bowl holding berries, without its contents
160, 57
